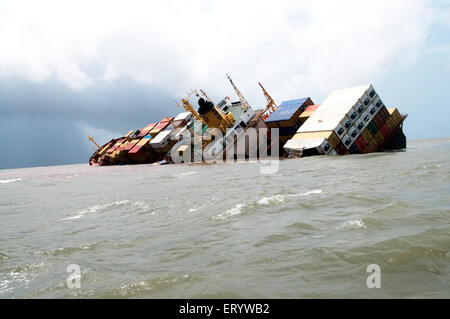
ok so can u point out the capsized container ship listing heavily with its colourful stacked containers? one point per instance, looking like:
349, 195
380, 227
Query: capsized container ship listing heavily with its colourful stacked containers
348, 121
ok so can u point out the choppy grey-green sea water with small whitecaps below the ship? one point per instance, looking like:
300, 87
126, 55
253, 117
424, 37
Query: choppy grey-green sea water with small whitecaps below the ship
309, 230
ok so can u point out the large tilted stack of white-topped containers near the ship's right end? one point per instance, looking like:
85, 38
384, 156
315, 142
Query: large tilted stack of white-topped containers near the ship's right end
349, 121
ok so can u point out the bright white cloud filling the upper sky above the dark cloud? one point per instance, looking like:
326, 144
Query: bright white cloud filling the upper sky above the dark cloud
295, 48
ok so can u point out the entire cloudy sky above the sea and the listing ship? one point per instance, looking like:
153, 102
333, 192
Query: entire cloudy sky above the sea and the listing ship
69, 69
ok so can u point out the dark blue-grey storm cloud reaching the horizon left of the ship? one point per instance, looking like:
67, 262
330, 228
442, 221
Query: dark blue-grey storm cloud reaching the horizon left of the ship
41, 124
